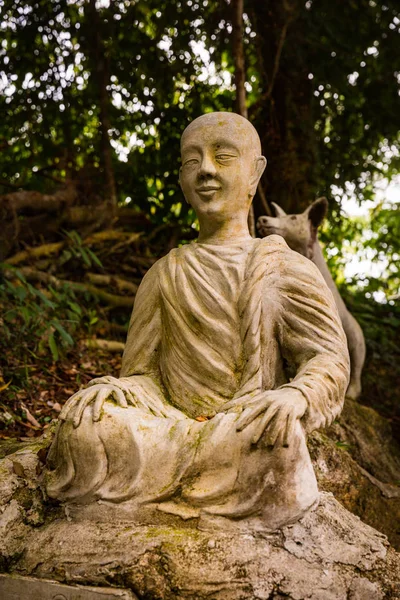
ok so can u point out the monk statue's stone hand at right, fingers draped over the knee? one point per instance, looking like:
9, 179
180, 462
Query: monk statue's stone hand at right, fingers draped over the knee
278, 412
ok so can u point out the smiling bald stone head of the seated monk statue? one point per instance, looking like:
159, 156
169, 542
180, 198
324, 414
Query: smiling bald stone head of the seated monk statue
221, 164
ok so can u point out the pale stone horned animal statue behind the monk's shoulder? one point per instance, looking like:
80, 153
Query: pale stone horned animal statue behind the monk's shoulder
300, 233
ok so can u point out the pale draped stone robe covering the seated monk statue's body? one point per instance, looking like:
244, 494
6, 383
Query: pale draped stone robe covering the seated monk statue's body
212, 323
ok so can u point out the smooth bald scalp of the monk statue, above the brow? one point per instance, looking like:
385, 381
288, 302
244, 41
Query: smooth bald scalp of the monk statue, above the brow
230, 126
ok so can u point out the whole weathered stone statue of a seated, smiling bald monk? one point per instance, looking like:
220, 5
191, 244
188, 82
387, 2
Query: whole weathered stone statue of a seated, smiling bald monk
235, 351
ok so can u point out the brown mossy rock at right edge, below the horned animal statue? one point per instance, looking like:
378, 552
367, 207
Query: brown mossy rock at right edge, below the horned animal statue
358, 460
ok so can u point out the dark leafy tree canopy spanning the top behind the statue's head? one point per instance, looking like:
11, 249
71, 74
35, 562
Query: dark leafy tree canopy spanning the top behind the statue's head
322, 93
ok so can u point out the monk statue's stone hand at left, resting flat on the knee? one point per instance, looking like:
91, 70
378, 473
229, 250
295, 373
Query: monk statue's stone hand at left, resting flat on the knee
97, 393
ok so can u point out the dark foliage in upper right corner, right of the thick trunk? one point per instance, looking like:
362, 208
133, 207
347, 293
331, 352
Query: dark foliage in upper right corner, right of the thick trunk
356, 91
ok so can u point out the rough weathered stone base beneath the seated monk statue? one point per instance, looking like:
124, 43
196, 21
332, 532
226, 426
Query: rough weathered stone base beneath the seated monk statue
328, 555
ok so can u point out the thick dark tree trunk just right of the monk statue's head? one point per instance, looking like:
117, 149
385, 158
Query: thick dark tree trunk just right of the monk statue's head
283, 116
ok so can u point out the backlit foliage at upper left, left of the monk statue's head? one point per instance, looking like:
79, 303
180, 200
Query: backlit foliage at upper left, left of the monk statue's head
153, 89
